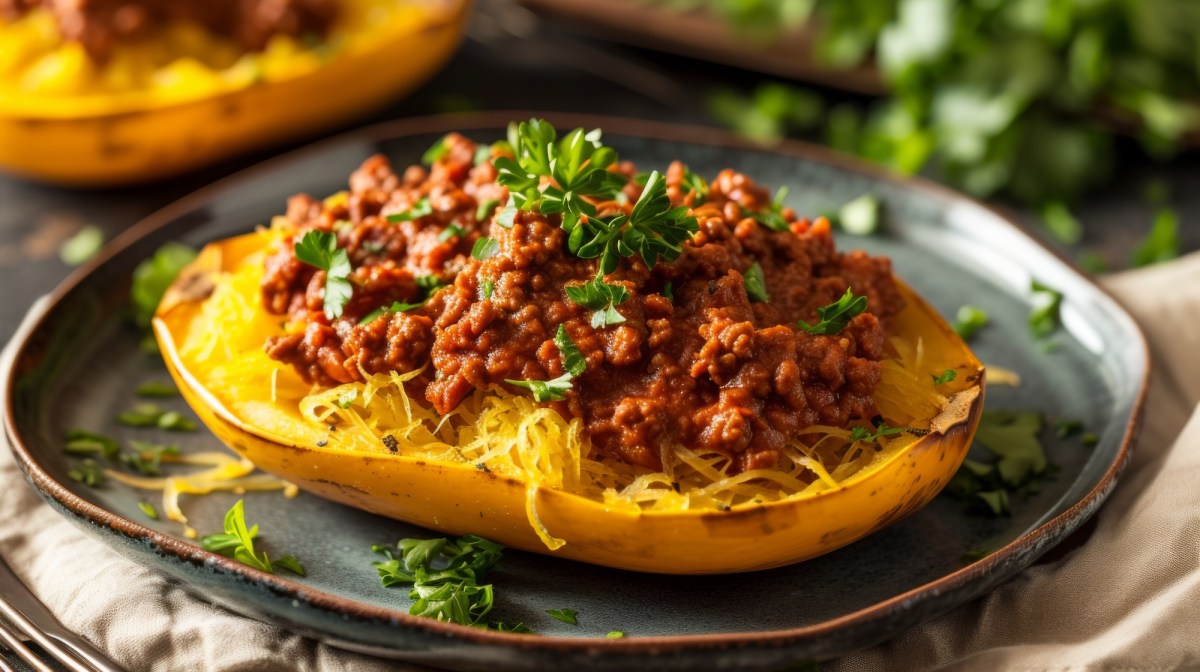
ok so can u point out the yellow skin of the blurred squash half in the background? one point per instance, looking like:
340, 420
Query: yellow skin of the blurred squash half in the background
107, 143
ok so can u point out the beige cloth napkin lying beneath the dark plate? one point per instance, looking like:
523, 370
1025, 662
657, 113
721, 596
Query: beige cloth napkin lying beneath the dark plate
1127, 601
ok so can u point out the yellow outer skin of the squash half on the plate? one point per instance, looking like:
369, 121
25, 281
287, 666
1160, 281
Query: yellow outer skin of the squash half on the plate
459, 500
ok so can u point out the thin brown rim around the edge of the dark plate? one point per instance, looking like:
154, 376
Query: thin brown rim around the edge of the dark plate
193, 554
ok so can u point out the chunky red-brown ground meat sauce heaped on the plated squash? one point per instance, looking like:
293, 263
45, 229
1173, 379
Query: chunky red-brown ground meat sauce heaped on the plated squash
710, 370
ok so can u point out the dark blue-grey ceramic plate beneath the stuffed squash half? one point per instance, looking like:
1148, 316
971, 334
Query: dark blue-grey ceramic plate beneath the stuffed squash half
80, 363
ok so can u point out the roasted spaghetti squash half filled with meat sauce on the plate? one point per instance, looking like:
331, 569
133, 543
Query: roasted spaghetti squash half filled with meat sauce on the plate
730, 464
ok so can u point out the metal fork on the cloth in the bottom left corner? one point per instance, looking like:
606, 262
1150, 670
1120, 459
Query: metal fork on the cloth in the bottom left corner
25, 619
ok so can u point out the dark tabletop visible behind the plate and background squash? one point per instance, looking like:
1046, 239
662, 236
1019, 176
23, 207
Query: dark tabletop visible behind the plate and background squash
556, 70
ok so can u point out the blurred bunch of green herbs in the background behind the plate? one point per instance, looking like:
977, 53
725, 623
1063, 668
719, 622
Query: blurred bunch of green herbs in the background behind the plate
1015, 98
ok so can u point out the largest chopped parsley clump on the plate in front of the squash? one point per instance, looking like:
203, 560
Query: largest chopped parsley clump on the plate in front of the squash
445, 577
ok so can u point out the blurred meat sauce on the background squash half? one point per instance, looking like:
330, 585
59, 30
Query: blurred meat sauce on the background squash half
100, 25
